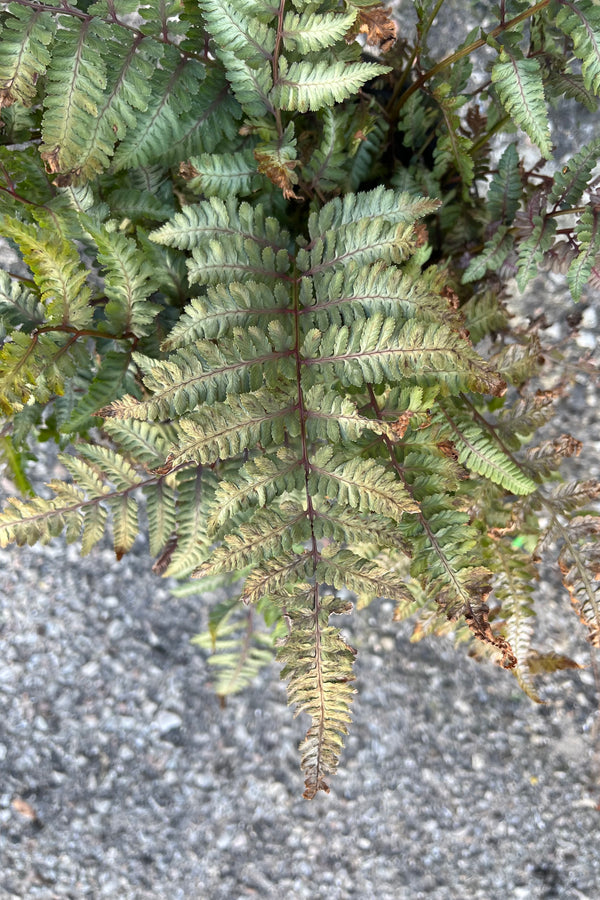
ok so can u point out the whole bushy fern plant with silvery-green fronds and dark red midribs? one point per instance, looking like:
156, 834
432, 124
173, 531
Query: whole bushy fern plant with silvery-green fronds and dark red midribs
261, 291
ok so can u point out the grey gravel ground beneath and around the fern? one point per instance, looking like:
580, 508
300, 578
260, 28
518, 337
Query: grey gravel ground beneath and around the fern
122, 777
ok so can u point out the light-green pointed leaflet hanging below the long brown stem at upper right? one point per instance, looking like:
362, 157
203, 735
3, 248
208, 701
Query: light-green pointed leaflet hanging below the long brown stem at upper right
520, 89
